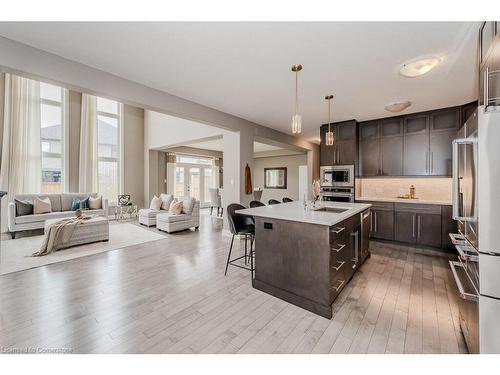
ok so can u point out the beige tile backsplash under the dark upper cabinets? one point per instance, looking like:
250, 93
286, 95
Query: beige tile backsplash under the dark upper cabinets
438, 189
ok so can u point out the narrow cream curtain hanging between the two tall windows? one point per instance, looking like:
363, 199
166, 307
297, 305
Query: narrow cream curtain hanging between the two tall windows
88, 181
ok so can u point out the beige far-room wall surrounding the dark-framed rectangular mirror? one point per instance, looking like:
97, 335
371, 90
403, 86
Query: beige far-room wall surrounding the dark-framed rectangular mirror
292, 163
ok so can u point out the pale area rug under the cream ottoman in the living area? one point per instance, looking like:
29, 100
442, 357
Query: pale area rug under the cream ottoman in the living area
14, 254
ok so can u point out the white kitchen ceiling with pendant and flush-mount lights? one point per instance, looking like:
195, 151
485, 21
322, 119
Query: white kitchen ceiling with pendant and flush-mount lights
244, 68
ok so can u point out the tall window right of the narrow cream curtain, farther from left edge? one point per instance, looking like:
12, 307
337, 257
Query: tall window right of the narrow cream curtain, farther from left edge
109, 147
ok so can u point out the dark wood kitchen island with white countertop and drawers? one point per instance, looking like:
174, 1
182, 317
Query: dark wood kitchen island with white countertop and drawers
306, 257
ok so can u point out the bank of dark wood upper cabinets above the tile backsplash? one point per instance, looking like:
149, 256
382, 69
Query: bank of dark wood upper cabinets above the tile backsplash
417, 144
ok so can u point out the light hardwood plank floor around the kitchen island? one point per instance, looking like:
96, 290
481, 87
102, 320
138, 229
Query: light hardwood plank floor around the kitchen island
171, 296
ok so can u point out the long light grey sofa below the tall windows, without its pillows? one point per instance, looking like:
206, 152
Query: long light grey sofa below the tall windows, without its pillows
61, 208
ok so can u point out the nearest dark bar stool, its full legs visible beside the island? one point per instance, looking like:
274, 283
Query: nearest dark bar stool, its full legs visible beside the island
241, 225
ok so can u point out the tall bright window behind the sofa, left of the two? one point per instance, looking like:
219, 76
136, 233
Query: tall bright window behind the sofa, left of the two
52, 136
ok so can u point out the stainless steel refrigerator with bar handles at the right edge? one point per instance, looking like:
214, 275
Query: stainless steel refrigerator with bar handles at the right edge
476, 207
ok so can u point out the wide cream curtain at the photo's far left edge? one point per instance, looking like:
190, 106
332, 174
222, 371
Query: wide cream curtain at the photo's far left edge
21, 151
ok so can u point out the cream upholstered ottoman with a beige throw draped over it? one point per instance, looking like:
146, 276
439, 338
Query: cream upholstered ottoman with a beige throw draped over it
95, 229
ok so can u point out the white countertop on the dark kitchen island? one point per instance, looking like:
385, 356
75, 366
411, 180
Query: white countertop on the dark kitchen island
294, 211
